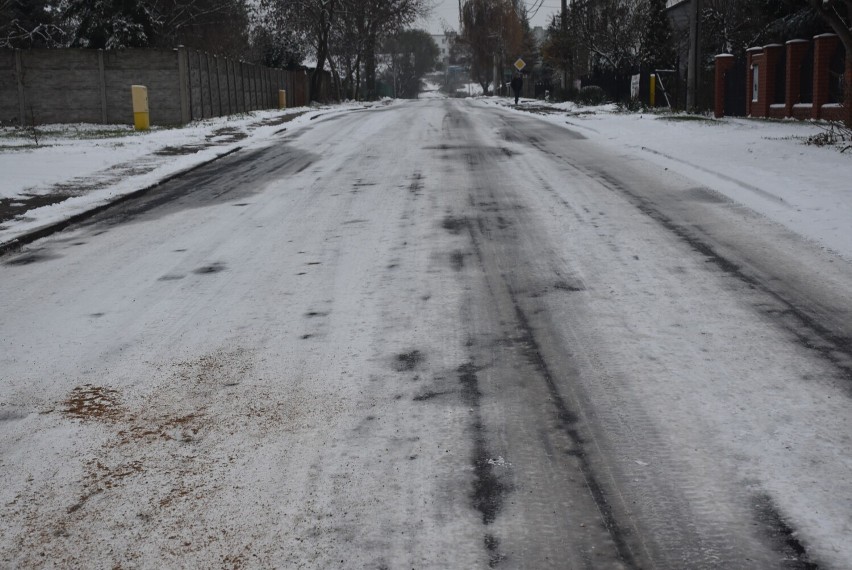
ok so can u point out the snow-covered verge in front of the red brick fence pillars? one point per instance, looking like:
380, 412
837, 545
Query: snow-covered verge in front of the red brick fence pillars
766, 166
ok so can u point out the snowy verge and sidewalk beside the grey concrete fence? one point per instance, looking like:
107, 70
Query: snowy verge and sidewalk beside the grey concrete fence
55, 172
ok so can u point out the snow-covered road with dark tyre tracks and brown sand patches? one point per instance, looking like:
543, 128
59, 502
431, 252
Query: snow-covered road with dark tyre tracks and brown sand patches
432, 335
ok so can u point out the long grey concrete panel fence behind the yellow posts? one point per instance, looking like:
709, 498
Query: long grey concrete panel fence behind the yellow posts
93, 86
